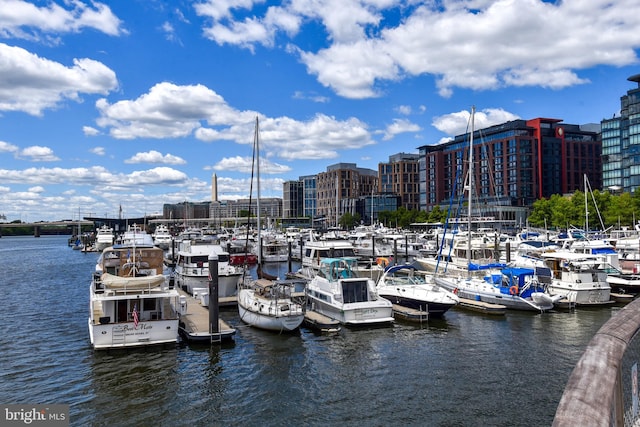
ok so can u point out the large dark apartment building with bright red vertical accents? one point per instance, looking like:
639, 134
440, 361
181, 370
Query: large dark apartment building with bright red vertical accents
515, 163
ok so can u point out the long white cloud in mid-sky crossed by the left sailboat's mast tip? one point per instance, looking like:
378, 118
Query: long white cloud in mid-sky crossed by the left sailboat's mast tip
172, 111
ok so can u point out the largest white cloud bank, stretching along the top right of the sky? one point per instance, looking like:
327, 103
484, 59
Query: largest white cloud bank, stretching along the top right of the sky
476, 45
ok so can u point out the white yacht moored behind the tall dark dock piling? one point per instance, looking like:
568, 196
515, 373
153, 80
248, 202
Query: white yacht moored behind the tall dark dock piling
192, 266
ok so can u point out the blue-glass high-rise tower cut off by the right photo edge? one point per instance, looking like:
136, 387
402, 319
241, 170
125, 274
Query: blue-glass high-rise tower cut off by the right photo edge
621, 144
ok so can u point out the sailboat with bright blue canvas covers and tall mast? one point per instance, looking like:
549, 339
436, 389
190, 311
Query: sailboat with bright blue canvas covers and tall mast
514, 289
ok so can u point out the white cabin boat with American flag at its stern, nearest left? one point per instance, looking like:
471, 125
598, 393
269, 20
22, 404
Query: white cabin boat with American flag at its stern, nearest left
130, 301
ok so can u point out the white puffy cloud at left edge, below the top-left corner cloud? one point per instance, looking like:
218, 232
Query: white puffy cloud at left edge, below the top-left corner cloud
32, 84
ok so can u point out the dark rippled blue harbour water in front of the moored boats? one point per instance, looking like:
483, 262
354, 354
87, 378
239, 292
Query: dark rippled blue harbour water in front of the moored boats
464, 370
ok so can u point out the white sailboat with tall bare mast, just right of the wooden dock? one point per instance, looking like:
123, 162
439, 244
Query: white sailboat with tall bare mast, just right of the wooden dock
264, 303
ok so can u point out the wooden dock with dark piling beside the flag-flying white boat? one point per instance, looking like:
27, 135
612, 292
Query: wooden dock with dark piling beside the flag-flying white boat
194, 324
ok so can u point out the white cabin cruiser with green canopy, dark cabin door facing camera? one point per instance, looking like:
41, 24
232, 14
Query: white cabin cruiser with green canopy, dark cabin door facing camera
337, 292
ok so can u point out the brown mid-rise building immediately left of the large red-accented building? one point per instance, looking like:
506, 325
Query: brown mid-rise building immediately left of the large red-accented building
401, 176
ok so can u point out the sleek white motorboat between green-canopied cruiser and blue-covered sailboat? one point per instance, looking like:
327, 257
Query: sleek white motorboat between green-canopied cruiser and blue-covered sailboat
403, 285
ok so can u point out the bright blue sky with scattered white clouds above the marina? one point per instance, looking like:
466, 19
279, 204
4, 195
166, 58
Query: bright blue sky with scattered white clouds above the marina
137, 103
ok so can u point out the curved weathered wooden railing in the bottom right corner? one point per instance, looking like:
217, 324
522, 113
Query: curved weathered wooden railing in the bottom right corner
603, 387
